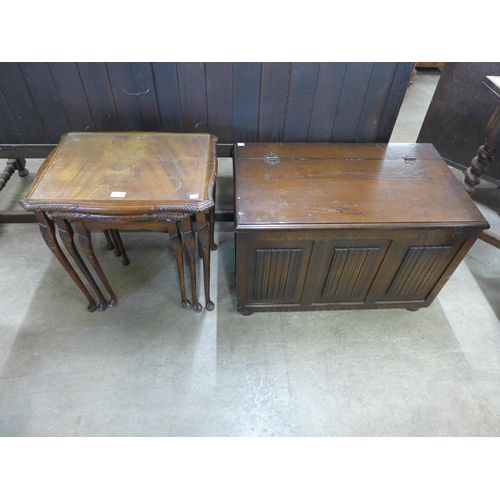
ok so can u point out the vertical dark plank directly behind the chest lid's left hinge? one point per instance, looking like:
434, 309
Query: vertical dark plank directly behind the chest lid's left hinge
273, 99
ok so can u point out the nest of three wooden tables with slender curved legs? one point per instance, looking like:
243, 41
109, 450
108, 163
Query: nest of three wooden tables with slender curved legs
128, 181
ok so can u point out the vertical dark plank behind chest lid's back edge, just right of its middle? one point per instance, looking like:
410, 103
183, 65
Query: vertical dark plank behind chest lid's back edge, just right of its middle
353, 93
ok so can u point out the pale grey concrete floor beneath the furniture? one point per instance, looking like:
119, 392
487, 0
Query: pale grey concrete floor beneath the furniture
150, 368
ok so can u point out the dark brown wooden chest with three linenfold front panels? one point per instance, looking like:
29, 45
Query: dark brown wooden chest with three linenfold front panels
357, 226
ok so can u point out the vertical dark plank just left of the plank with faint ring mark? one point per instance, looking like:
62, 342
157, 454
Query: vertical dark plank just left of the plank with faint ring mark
97, 87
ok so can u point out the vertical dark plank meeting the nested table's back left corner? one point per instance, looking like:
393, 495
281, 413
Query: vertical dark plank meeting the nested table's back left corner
71, 93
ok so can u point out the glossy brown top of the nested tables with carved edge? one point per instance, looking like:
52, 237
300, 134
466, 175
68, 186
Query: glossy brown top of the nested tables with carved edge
126, 172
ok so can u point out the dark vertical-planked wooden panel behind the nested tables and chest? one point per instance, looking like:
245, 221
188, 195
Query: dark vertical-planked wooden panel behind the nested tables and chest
323, 102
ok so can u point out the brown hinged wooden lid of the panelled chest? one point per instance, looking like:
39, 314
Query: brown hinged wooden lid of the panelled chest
395, 185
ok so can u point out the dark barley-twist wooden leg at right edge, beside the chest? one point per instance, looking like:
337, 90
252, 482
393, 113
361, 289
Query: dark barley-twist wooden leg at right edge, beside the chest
485, 153
